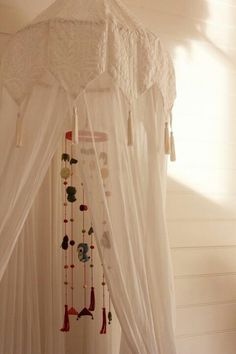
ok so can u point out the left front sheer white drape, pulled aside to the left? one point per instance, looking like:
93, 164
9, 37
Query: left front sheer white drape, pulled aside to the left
23, 169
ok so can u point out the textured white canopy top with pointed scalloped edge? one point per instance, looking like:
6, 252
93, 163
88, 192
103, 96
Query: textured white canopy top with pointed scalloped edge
76, 41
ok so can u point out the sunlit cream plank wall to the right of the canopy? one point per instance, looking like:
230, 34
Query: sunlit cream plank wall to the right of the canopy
201, 37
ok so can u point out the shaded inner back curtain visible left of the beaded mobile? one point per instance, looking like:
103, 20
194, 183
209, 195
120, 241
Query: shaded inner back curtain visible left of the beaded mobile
30, 290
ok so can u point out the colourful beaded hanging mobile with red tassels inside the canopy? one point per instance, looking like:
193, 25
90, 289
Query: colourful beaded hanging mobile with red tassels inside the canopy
85, 244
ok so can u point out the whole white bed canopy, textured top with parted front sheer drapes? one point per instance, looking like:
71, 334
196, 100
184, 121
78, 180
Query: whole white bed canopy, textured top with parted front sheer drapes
89, 67
